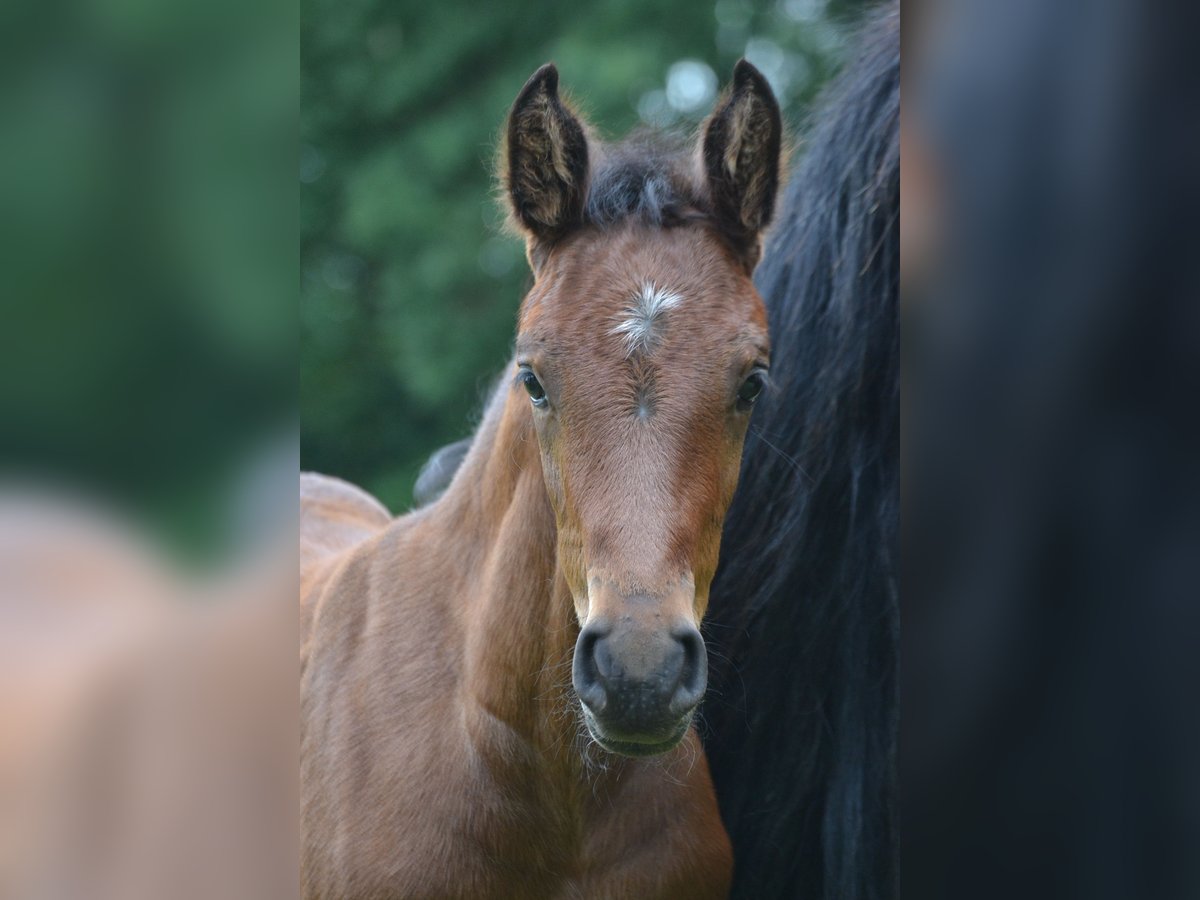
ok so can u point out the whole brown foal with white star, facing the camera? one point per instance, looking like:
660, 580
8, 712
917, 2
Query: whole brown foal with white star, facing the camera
445, 749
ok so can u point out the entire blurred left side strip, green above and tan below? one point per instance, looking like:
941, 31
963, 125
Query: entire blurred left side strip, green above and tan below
148, 253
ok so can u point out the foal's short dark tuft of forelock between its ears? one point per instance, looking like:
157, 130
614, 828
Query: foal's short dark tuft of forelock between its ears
647, 177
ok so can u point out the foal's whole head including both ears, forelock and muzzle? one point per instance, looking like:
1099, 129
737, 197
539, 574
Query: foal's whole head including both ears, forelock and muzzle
643, 347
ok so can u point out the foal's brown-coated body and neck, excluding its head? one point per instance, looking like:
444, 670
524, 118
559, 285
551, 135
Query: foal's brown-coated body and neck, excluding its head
441, 755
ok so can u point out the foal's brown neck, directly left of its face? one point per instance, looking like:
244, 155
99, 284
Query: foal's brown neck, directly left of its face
519, 619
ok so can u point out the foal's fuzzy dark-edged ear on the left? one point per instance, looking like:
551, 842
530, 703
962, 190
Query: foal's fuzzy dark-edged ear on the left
547, 169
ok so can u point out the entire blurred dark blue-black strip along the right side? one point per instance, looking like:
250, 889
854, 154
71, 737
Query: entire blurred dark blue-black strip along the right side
1052, 507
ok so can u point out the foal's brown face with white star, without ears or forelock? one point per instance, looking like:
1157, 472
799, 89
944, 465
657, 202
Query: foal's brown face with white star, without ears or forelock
643, 352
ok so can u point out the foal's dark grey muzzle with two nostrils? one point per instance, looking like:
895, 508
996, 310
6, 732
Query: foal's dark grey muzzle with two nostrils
639, 683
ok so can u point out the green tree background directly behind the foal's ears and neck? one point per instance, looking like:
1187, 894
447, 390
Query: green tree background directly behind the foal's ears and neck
410, 287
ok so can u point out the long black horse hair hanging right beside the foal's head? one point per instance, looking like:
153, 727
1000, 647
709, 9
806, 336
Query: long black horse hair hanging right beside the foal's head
801, 719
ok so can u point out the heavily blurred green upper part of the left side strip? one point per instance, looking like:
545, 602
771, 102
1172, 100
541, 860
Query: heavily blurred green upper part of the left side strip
148, 253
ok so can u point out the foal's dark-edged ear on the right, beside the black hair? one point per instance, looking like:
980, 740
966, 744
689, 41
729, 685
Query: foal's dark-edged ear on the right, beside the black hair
741, 155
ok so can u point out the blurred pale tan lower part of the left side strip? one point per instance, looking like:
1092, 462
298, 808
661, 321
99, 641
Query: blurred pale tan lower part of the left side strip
148, 722
